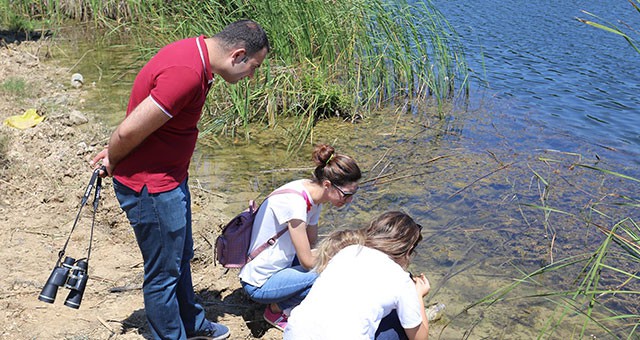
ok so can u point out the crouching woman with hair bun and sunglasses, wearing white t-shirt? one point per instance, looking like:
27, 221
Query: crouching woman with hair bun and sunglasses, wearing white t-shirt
281, 275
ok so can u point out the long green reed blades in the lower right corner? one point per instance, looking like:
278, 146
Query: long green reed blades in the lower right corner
606, 287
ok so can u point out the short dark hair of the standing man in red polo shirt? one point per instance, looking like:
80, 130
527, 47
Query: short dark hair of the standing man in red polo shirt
244, 33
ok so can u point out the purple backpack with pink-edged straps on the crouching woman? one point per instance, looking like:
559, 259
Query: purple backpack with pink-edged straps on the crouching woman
232, 246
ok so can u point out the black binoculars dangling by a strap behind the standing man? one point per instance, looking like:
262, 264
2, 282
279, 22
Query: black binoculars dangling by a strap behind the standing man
70, 274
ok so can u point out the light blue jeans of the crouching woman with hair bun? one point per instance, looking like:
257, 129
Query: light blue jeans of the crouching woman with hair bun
287, 288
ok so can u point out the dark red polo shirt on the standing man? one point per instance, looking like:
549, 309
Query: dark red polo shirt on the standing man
178, 79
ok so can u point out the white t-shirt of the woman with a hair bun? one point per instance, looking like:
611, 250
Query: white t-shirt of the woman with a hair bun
274, 214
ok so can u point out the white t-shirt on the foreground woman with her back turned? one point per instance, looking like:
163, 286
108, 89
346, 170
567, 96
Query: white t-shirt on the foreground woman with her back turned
357, 289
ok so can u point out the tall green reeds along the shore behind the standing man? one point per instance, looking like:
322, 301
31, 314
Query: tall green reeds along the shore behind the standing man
329, 58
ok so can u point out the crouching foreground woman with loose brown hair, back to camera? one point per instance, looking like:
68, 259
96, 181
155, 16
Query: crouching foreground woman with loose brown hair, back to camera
363, 290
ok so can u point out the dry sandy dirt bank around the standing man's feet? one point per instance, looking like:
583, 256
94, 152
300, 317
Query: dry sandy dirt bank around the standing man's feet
44, 172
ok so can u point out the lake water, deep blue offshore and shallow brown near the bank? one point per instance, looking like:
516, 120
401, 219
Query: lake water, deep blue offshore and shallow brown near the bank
499, 186
